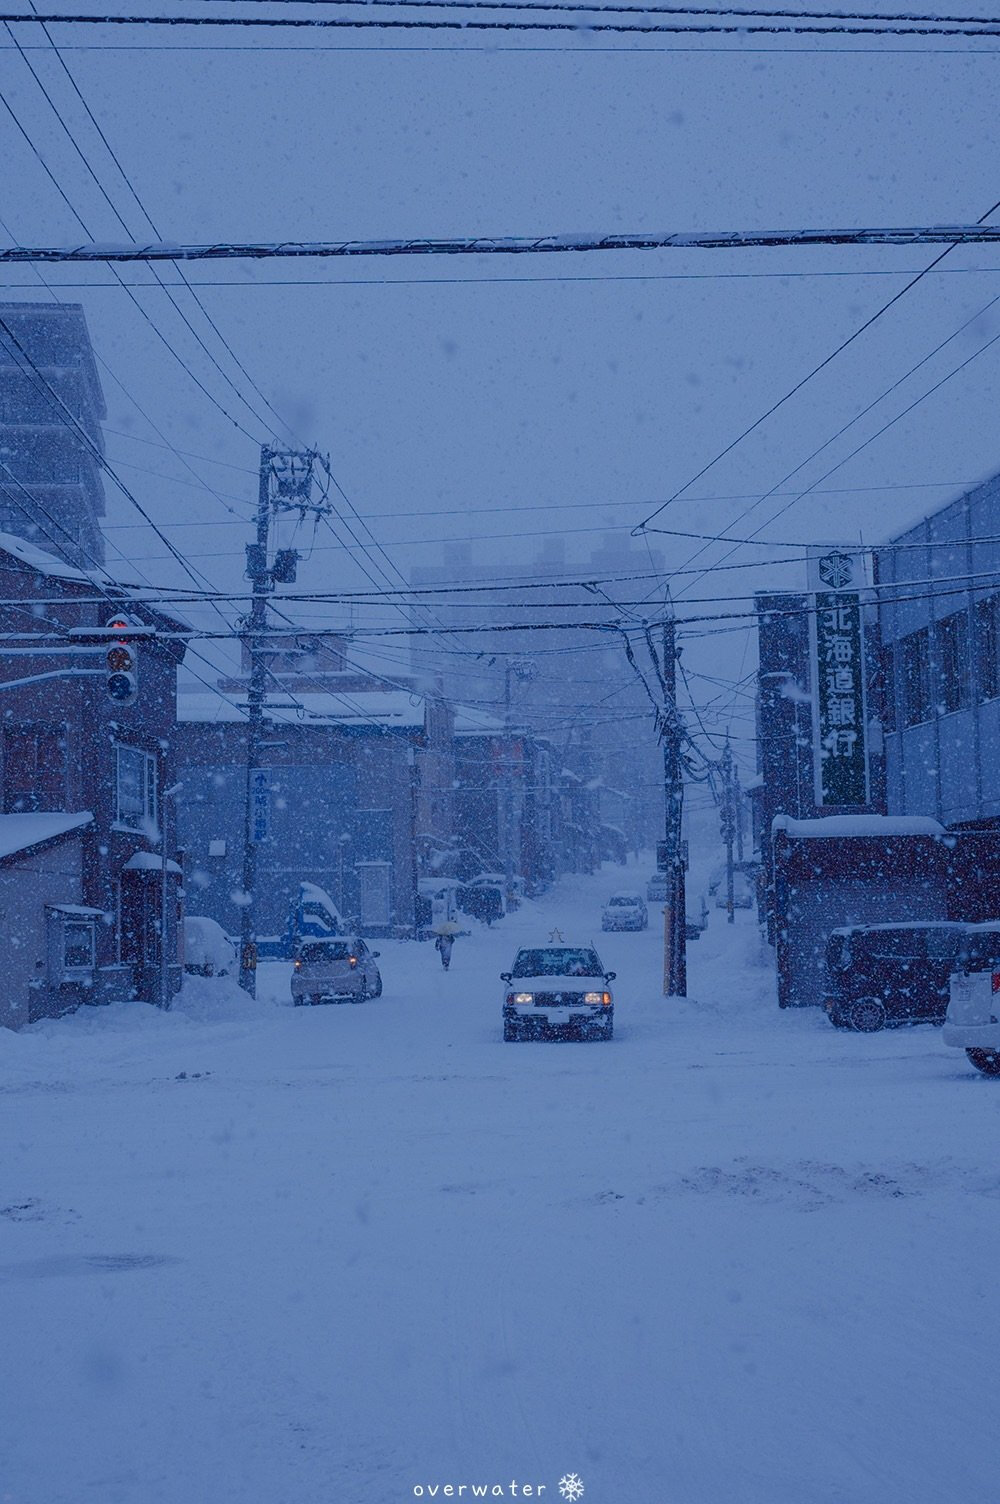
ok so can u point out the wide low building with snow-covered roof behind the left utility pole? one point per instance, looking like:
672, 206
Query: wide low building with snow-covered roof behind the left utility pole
354, 795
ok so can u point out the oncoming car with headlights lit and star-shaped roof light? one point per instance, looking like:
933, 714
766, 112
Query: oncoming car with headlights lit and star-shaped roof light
559, 990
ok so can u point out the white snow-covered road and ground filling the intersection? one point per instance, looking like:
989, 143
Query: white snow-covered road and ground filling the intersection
259, 1255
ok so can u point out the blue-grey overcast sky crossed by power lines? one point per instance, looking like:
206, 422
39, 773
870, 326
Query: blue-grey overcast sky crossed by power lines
455, 395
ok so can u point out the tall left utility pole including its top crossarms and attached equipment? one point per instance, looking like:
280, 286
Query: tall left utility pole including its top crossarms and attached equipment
285, 485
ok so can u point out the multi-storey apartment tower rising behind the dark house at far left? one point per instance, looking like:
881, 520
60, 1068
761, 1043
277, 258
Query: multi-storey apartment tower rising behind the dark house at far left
52, 407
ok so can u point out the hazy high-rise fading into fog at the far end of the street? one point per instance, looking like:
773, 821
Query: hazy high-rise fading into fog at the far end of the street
580, 693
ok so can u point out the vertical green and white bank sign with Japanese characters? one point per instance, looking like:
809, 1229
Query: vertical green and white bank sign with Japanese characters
837, 583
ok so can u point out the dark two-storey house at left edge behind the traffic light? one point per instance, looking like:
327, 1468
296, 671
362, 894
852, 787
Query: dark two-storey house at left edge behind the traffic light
70, 750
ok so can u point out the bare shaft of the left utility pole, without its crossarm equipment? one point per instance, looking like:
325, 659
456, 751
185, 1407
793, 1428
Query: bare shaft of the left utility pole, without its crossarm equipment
253, 637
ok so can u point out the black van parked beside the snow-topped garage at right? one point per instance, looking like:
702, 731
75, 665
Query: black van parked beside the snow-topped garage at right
882, 975
